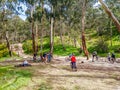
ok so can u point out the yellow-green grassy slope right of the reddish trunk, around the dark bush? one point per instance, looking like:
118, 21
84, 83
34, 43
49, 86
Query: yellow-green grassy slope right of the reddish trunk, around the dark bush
92, 39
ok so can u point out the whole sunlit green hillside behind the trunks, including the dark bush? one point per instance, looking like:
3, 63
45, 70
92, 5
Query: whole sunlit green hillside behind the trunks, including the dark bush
101, 44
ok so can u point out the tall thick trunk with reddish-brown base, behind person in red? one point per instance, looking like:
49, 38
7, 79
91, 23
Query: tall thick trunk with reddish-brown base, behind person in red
83, 30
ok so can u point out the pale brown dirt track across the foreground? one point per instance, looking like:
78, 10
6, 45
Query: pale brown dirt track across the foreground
98, 75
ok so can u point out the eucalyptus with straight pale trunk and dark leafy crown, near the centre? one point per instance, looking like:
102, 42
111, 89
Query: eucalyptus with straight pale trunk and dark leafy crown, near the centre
57, 8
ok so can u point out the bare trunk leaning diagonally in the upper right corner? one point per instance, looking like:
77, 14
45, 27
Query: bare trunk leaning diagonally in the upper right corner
111, 15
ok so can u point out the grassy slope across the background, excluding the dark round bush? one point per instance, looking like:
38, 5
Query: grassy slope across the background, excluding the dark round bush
91, 40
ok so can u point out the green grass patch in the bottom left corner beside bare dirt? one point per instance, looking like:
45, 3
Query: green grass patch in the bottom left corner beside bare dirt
13, 79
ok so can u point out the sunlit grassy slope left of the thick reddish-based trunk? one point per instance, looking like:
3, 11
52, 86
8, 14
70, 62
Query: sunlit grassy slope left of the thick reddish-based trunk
58, 49
